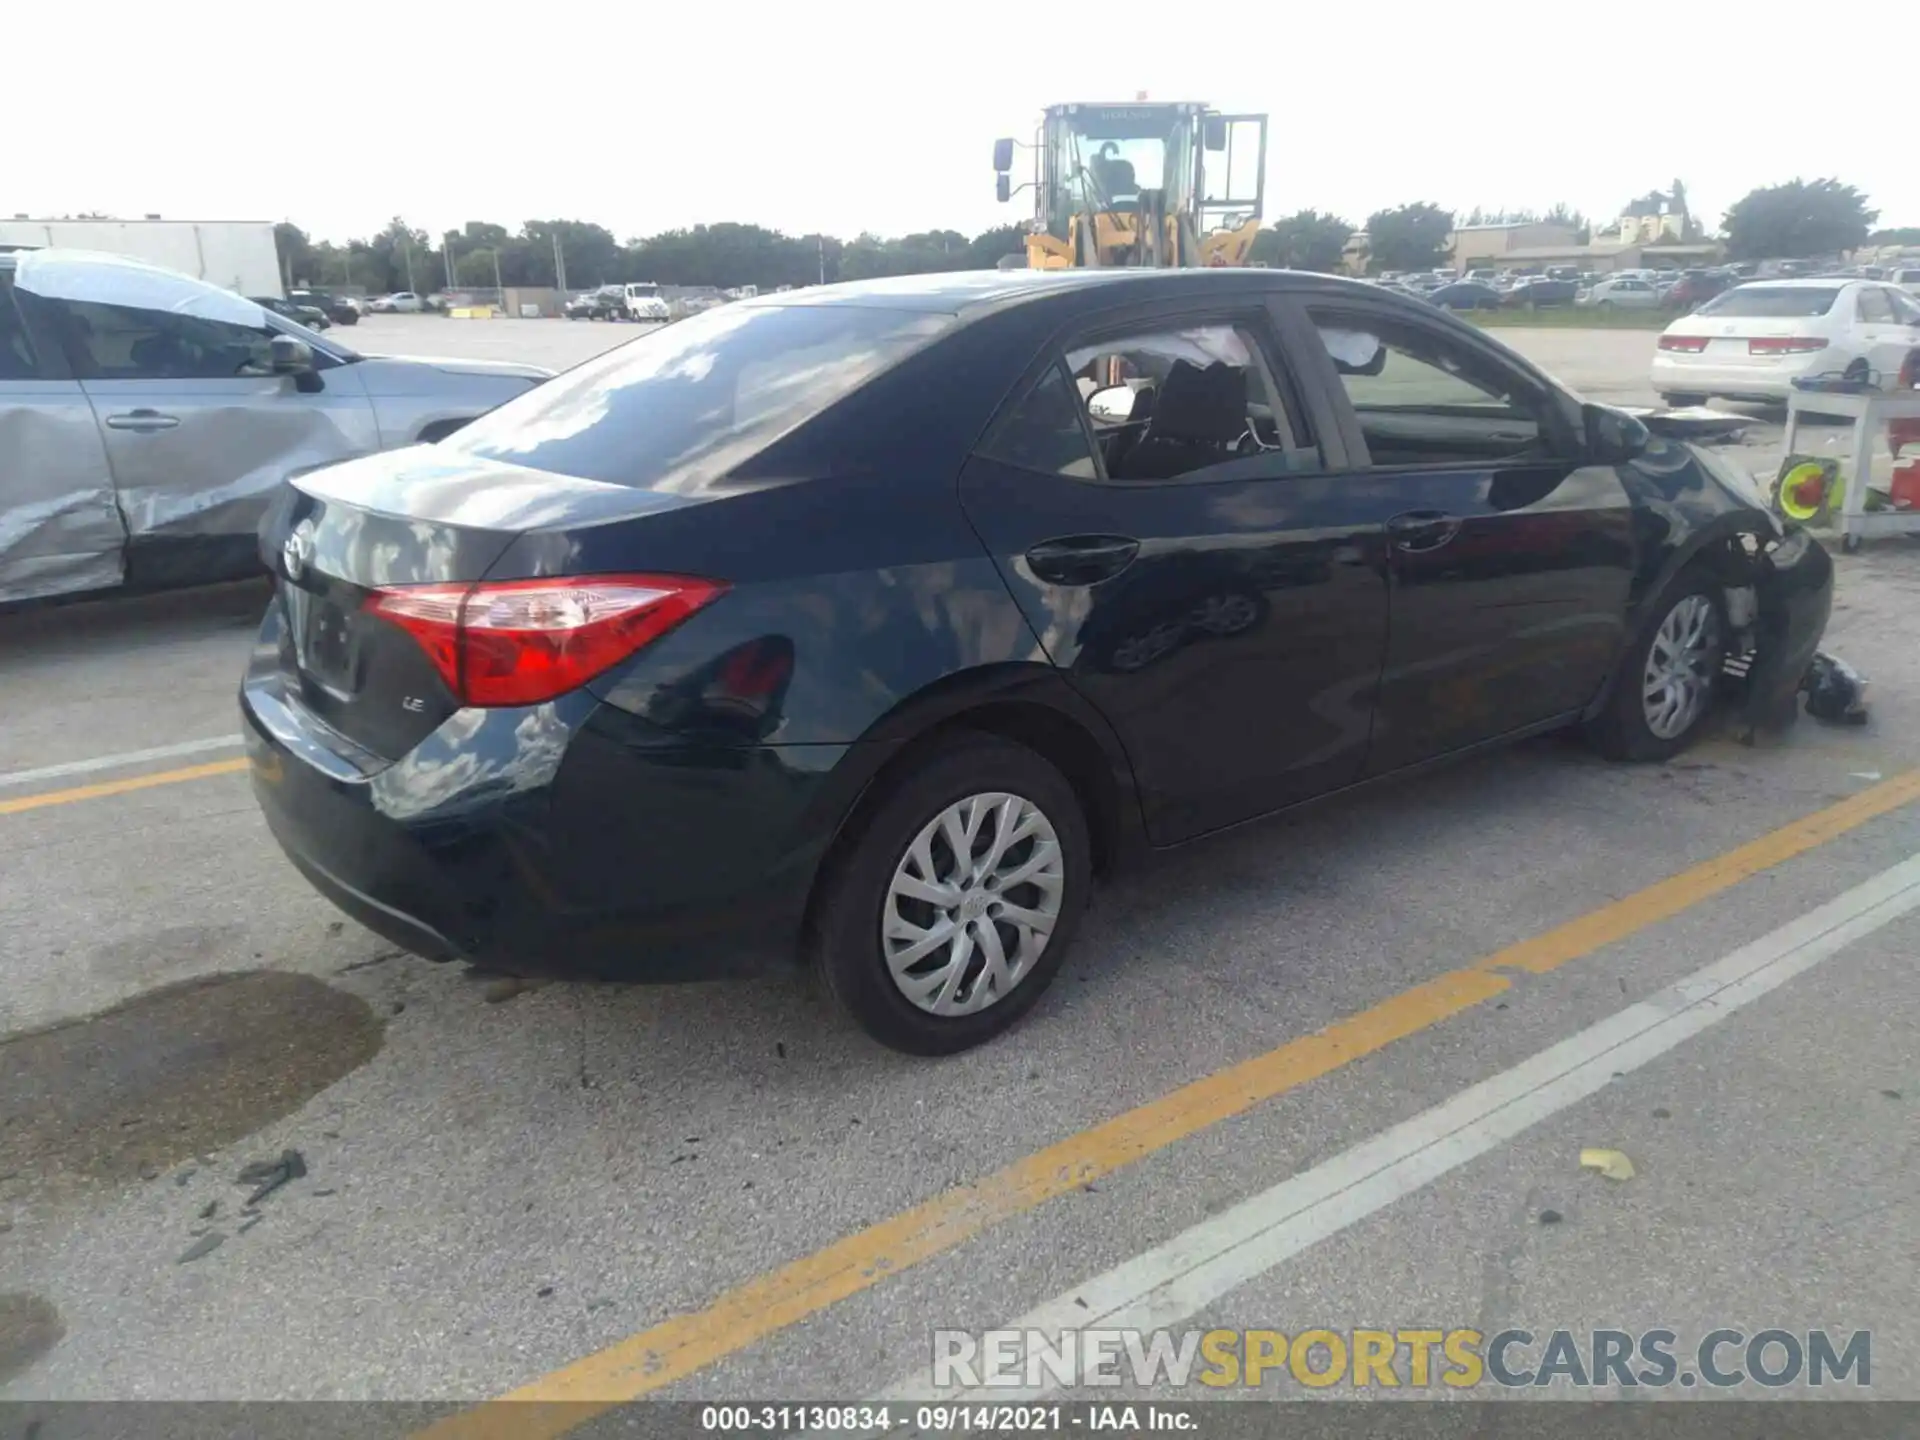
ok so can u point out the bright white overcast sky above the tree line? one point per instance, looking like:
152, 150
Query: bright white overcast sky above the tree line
842, 118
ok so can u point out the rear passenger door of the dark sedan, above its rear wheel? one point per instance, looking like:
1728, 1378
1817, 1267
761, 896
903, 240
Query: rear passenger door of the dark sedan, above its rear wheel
1163, 504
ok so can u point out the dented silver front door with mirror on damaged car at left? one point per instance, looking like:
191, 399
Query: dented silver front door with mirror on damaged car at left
199, 429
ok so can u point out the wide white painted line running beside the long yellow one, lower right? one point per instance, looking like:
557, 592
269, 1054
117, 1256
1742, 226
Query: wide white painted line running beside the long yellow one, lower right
1178, 1280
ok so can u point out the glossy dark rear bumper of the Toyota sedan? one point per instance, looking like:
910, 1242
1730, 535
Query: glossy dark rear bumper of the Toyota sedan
550, 842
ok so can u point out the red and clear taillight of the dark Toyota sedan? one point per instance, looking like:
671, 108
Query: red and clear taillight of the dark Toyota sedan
523, 642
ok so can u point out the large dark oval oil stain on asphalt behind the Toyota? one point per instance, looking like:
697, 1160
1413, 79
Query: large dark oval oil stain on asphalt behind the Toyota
172, 1074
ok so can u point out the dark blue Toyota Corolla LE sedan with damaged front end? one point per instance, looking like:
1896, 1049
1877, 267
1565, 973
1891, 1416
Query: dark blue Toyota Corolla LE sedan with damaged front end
873, 623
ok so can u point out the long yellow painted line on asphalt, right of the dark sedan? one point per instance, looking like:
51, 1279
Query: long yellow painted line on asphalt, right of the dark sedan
784, 1297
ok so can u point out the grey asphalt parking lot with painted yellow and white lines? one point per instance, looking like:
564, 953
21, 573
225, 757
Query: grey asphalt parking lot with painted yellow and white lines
1291, 1078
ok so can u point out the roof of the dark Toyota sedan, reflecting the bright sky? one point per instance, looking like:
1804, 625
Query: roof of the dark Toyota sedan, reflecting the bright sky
963, 293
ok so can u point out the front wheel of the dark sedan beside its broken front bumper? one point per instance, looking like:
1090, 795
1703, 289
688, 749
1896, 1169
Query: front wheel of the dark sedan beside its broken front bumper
1662, 704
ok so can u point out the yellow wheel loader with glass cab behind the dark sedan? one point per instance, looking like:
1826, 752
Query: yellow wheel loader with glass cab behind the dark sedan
1141, 185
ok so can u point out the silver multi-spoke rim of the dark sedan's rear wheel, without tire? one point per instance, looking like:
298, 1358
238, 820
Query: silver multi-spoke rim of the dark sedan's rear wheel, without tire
972, 903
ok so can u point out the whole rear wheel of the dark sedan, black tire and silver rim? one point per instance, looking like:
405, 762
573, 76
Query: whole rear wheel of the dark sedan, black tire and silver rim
875, 900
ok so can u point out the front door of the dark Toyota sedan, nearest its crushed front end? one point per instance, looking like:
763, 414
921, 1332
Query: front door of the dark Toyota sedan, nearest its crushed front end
1510, 554
